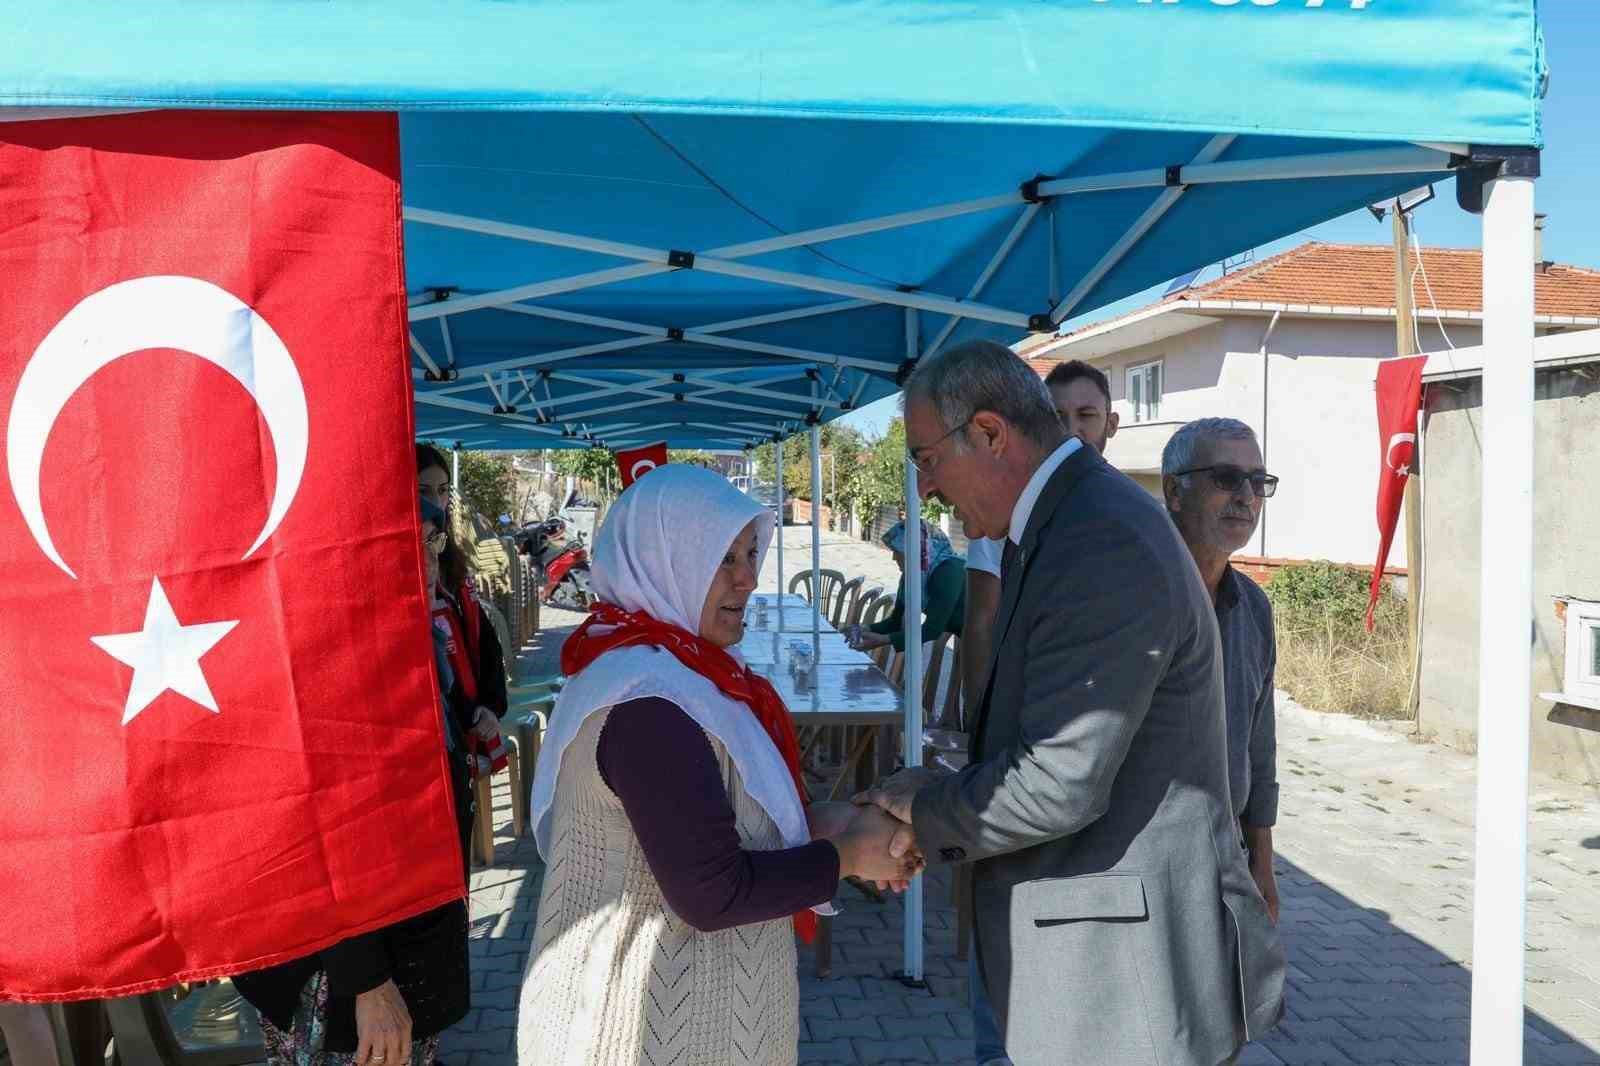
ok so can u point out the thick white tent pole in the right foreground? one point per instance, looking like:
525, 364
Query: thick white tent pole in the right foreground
1505, 625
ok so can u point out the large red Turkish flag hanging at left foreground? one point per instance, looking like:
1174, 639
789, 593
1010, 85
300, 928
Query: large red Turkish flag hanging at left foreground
220, 731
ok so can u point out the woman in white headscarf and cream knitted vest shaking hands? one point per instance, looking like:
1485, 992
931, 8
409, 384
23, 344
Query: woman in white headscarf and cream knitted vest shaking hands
682, 854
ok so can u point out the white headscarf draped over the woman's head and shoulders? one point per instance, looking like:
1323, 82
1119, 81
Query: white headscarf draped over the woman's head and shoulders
658, 553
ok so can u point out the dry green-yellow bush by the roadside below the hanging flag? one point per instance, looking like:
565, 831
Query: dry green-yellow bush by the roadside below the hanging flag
1327, 660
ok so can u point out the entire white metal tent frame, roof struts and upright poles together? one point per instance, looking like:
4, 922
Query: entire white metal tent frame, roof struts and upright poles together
1508, 455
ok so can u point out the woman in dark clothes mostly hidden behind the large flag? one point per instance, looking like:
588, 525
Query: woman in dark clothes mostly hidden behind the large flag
383, 998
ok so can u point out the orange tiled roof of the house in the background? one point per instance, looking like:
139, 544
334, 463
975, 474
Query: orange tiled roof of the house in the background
1327, 276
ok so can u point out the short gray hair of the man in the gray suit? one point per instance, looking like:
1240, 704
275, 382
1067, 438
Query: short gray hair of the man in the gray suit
986, 377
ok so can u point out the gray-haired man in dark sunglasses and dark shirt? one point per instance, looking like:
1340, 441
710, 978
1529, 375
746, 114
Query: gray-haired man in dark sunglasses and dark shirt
1215, 486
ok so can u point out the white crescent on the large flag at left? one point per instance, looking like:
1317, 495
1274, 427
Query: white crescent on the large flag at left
159, 311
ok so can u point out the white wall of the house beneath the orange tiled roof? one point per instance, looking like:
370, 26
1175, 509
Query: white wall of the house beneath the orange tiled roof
1321, 435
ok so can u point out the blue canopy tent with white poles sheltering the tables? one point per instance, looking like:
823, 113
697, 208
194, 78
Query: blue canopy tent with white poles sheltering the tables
719, 225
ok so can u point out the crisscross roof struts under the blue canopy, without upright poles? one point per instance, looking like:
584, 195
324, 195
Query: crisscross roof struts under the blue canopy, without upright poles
729, 260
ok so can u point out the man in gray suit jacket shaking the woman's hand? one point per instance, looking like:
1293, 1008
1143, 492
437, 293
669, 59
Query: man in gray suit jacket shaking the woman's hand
1116, 916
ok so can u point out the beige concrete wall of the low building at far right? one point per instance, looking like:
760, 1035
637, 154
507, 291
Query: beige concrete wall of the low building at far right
1567, 563
